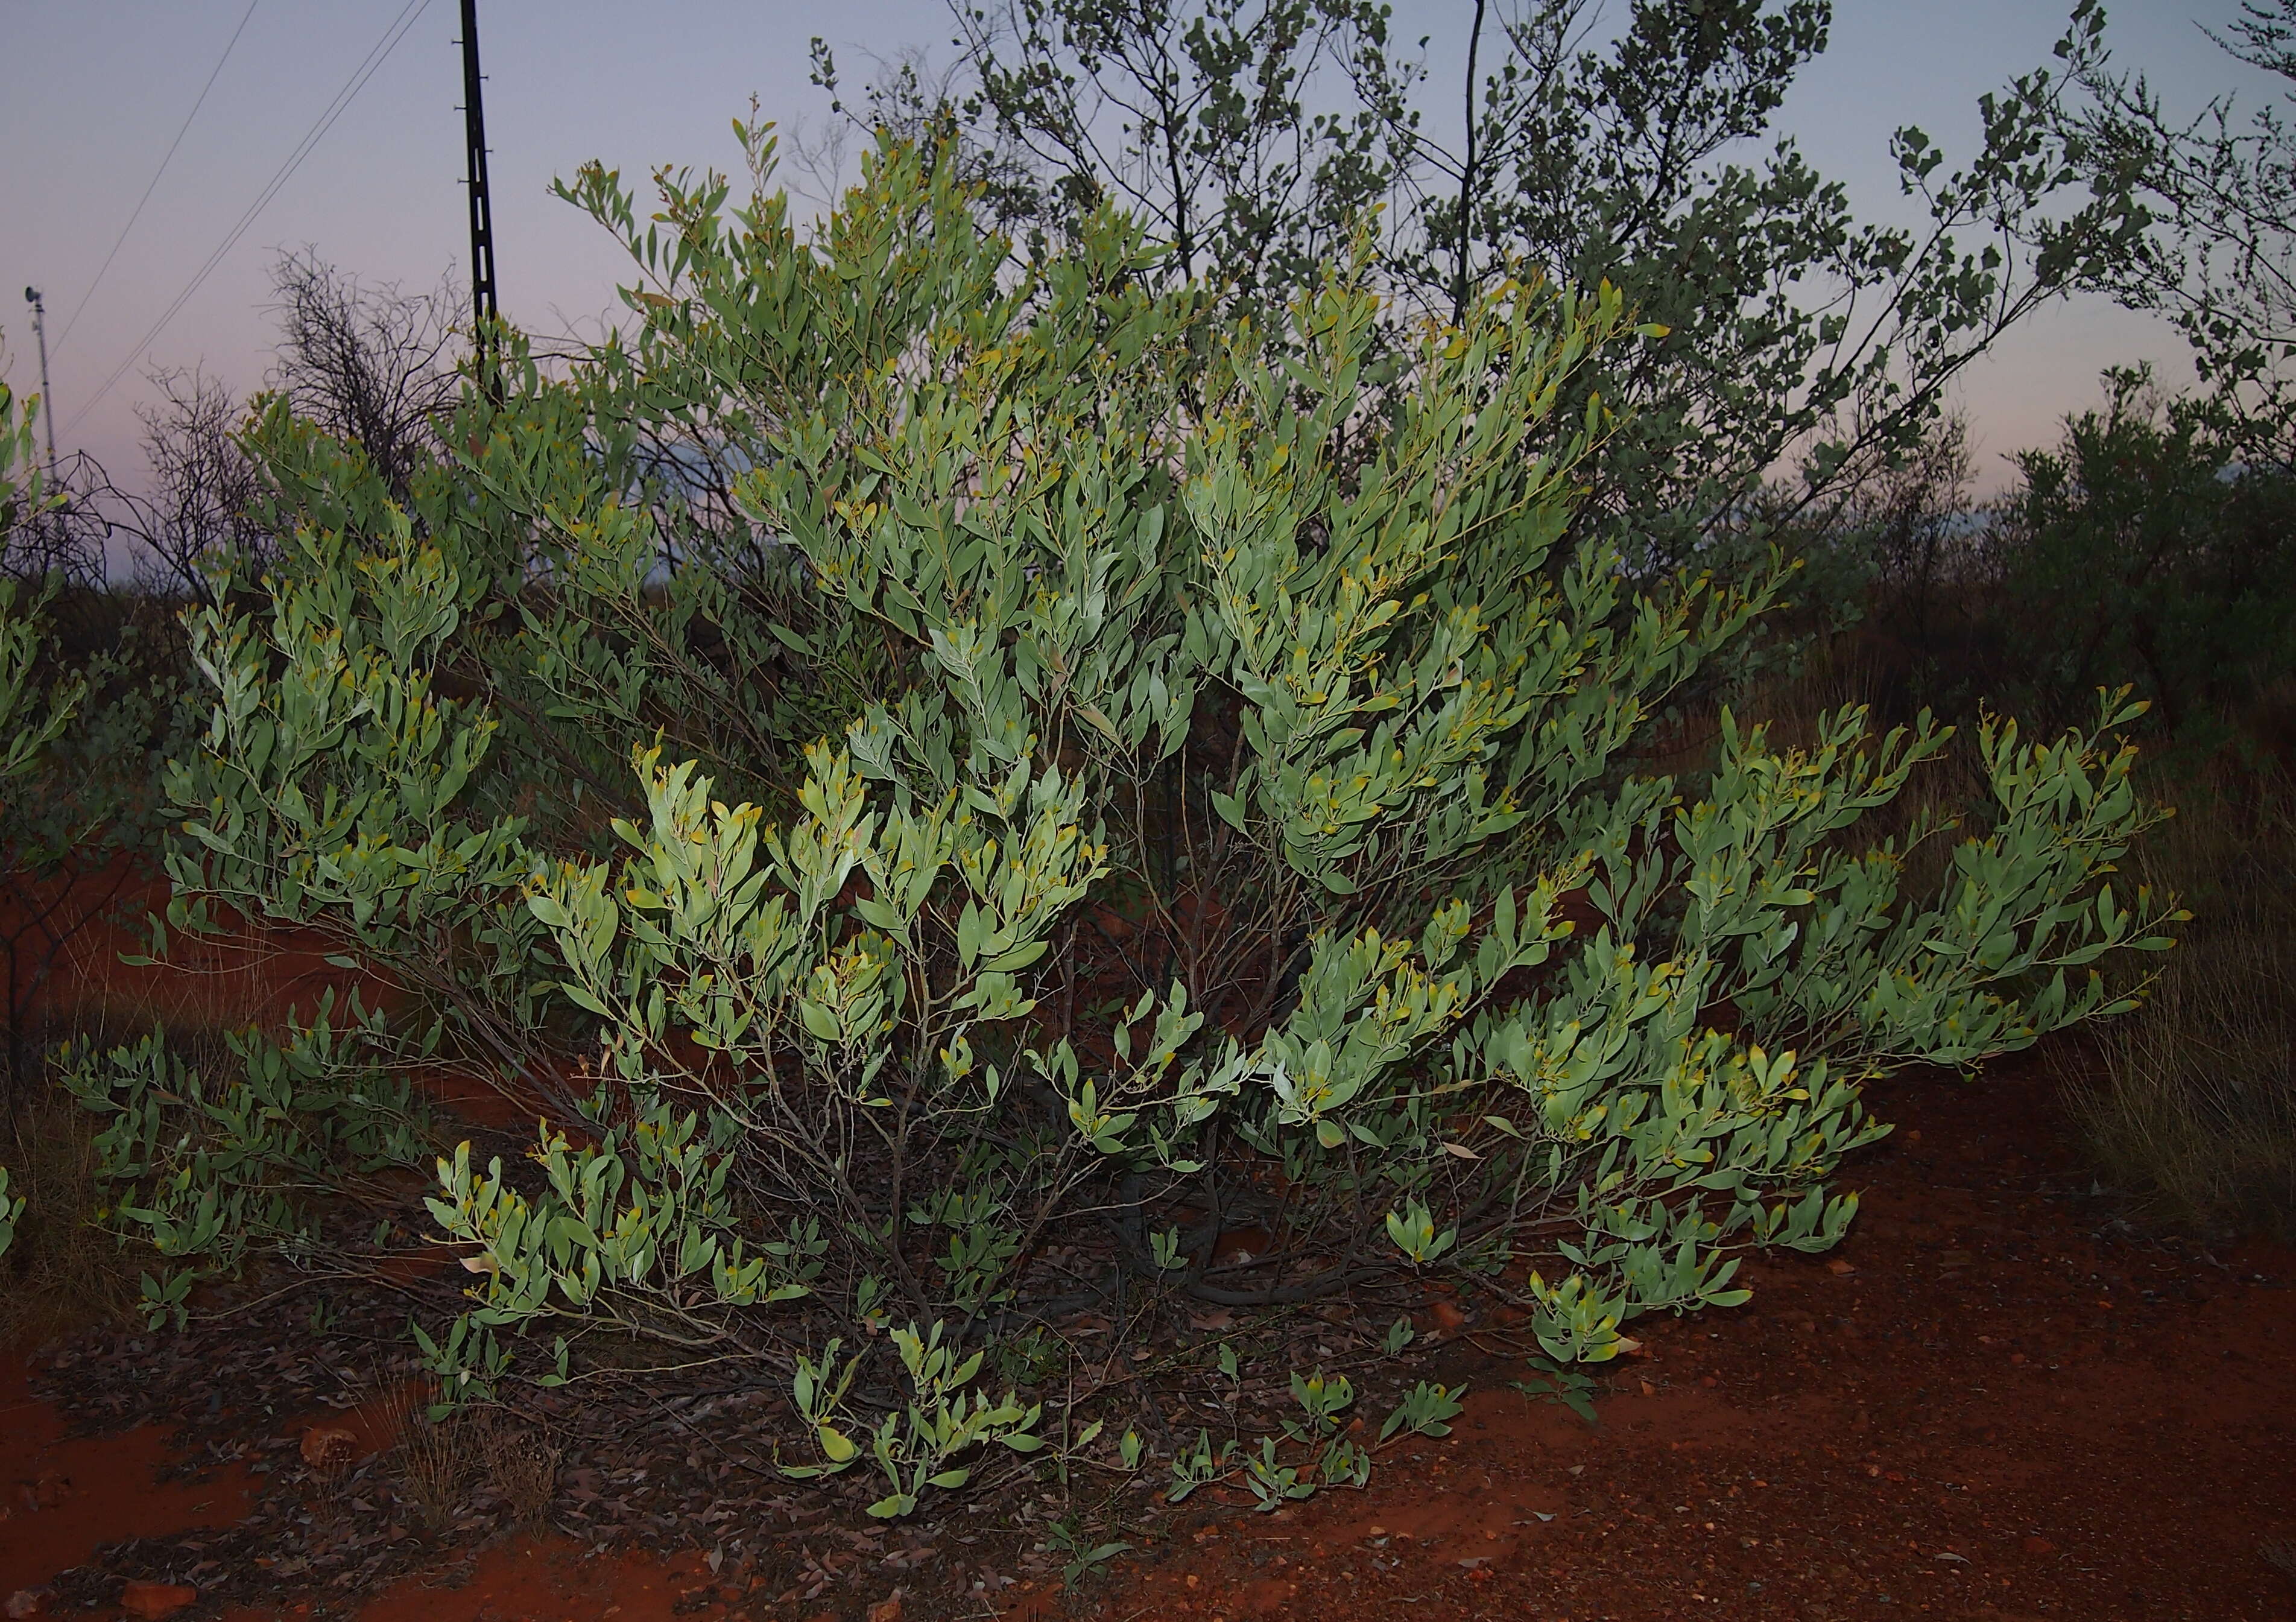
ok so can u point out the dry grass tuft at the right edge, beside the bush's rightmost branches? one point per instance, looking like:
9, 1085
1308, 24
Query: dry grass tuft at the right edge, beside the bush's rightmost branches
2189, 1106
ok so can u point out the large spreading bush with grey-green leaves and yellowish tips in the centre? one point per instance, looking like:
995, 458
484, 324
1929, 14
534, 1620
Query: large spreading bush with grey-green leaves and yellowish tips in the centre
954, 785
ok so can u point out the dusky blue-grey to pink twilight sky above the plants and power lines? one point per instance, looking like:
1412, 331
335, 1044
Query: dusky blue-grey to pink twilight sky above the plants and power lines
95, 91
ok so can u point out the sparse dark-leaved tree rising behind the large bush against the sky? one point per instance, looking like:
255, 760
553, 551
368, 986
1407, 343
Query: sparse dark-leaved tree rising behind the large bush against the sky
1640, 148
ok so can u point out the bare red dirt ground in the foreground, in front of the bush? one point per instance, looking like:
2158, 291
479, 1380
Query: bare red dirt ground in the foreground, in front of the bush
2008, 1407
